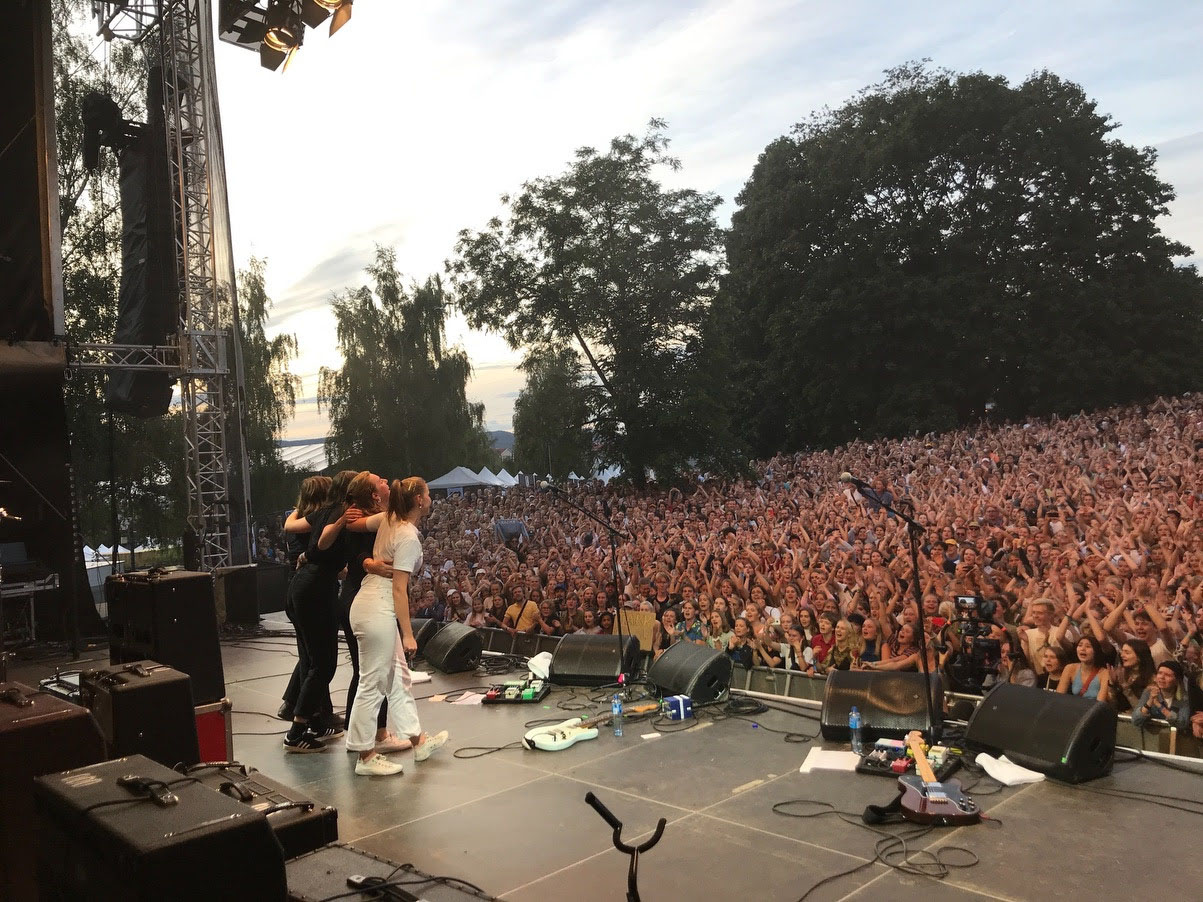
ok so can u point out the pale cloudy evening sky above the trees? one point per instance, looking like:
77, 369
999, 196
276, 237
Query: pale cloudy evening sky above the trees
410, 123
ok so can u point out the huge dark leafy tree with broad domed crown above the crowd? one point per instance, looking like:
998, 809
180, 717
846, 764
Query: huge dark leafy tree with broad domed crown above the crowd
945, 244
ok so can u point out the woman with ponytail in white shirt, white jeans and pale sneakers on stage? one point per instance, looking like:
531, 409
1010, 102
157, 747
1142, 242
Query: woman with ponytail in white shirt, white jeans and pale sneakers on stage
377, 610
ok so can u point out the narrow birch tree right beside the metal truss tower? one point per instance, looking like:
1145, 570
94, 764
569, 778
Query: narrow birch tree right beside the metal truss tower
271, 394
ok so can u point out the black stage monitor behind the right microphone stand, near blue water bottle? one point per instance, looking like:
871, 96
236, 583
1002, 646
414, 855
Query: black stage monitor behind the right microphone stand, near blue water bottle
891, 704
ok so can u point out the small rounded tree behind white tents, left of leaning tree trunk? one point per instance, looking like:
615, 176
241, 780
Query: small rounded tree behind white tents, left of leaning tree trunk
553, 432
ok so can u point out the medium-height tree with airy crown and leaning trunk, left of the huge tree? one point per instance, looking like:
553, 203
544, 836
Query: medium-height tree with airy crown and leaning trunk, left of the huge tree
603, 257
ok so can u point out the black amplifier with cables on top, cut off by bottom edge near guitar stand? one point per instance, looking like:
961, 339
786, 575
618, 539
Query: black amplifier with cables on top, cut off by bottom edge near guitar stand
327, 875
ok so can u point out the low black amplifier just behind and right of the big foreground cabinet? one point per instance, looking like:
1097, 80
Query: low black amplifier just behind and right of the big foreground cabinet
300, 824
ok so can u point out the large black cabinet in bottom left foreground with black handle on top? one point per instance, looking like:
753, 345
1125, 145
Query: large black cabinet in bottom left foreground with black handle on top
104, 842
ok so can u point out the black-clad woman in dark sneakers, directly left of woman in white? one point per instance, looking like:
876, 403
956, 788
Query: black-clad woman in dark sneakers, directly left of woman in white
313, 595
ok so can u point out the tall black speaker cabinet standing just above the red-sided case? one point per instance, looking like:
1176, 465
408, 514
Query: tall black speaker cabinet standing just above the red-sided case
169, 618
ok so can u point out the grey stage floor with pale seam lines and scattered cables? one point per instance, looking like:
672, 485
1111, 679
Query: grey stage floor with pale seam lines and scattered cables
515, 823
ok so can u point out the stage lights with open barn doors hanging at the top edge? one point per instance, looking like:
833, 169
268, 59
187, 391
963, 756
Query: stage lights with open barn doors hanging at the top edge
277, 29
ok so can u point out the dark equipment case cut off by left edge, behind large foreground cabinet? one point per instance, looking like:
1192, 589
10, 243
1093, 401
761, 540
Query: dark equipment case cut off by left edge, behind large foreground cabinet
39, 734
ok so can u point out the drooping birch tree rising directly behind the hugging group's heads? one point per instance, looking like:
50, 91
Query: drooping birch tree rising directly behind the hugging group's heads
399, 405
